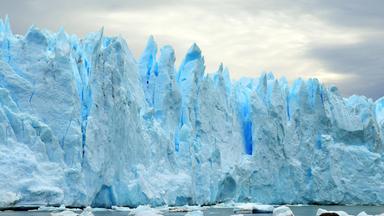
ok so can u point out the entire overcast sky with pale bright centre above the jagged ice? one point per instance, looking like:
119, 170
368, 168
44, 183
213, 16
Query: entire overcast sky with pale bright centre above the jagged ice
339, 42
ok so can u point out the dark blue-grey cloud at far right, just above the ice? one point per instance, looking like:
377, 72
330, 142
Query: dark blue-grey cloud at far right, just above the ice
364, 61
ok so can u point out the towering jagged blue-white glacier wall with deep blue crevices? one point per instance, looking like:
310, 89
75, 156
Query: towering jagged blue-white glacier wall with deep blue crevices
83, 123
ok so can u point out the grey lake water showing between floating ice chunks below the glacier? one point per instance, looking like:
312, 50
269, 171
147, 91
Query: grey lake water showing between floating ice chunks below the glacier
297, 210
